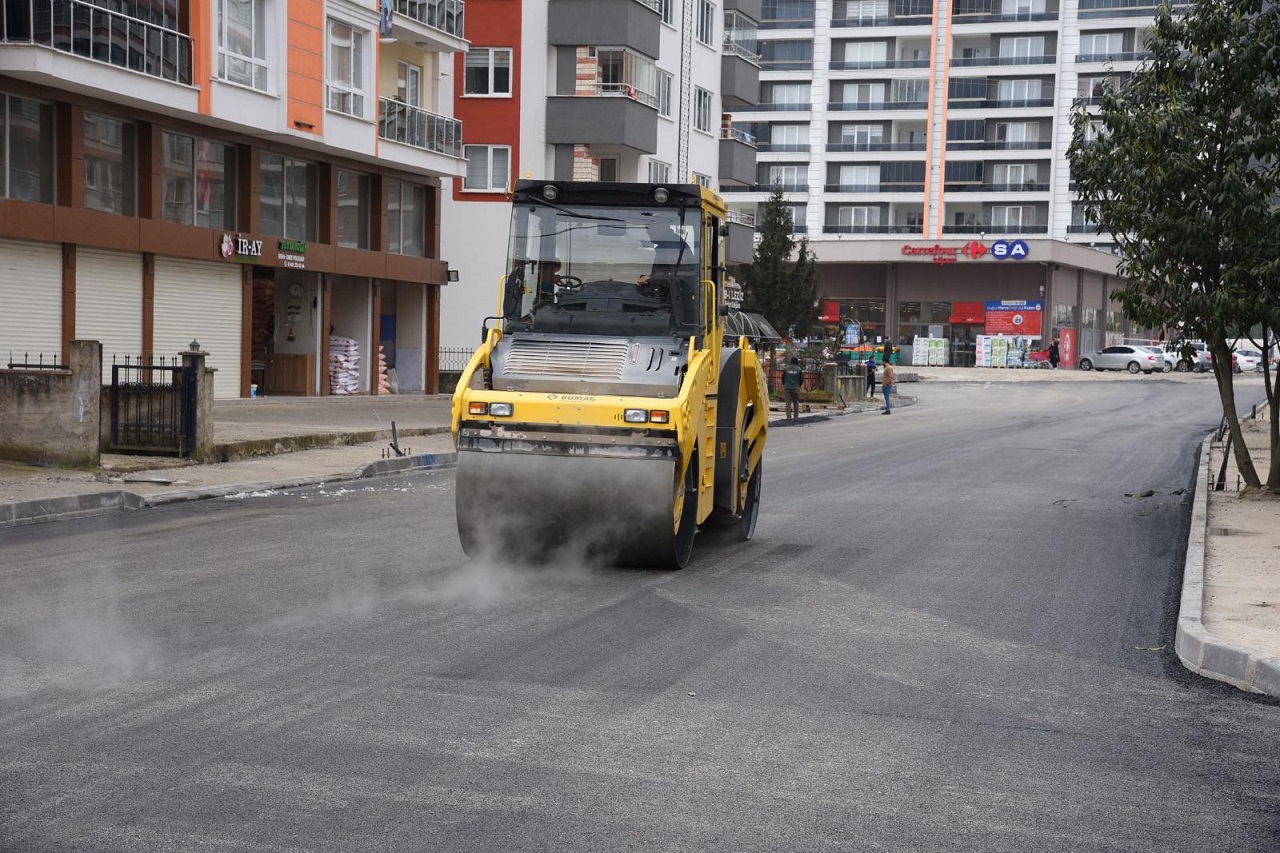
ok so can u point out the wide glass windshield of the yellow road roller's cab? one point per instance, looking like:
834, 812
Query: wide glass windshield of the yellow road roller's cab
604, 271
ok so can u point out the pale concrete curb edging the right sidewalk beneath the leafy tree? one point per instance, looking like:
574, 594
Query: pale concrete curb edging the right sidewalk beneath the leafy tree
1200, 651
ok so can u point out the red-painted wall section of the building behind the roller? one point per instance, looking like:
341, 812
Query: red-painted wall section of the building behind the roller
491, 121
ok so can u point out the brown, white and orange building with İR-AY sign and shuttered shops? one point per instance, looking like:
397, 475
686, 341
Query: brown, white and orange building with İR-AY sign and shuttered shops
254, 176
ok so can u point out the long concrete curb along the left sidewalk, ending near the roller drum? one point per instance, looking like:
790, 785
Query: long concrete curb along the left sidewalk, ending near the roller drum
80, 507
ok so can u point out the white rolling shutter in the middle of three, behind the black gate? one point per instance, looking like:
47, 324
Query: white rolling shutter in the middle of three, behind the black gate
109, 303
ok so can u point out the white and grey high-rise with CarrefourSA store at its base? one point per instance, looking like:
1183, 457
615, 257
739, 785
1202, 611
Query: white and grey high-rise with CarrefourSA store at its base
922, 152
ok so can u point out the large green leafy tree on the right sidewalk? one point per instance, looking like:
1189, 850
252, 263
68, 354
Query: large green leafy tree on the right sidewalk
1181, 166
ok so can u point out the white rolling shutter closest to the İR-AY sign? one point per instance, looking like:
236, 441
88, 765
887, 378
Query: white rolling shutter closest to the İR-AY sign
202, 302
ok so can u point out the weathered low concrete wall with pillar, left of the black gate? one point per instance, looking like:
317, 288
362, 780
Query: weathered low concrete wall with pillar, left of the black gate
53, 416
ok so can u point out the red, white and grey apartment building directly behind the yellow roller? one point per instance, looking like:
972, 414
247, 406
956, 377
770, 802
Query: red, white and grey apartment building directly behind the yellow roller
592, 90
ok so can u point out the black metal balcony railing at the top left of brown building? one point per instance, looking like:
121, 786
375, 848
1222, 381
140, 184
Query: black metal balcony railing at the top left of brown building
100, 35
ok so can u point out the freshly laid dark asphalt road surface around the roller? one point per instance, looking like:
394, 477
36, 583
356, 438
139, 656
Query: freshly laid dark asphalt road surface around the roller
953, 632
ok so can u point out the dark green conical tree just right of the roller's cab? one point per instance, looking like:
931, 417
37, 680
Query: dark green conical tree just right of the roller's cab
784, 290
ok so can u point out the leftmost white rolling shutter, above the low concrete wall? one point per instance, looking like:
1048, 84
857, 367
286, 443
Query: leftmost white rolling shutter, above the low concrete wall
31, 308
